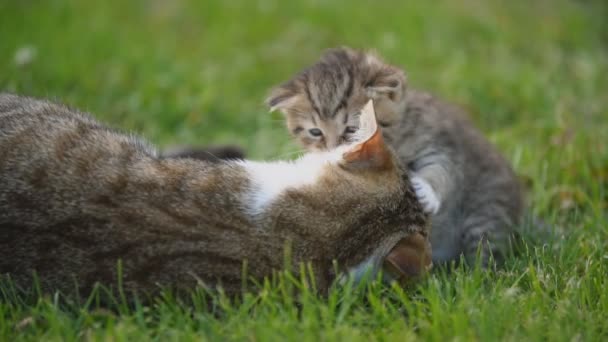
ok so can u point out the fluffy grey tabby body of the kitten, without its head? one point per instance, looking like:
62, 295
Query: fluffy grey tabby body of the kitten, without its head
479, 194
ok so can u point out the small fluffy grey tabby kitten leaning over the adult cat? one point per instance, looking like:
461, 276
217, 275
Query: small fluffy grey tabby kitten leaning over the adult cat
458, 176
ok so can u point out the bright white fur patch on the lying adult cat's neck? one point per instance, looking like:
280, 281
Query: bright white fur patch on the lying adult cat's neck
270, 179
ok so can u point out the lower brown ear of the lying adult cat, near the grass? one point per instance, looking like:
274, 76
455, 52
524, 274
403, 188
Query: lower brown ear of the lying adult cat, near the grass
409, 259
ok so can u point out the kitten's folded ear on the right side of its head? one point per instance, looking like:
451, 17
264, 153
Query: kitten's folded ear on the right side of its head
388, 81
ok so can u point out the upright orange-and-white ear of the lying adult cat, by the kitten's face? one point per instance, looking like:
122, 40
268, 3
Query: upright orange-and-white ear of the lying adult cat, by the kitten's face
370, 150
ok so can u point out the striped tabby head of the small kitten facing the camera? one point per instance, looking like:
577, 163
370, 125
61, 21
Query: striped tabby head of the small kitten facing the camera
320, 104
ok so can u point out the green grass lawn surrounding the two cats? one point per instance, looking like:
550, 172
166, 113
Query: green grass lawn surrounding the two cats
534, 75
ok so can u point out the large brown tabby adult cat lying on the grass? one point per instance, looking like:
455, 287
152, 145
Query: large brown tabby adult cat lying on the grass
76, 197
